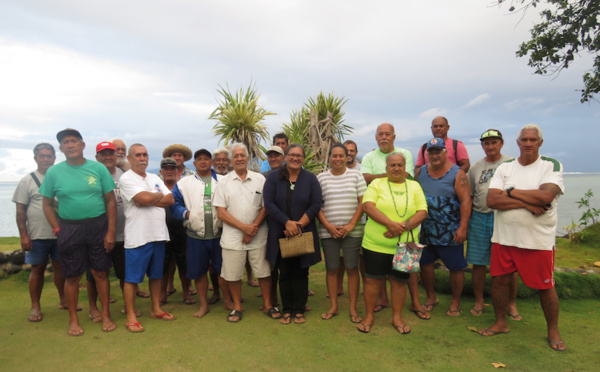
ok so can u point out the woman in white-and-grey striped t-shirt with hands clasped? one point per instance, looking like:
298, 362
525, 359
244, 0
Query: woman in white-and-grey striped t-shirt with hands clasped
340, 228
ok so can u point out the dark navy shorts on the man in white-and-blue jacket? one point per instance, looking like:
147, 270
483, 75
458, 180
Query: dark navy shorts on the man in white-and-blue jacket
199, 253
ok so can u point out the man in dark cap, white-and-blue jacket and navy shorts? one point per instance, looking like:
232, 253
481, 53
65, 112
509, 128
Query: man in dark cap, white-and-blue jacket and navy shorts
194, 198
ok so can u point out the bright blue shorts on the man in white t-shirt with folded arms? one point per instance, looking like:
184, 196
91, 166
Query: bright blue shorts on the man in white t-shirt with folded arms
145, 260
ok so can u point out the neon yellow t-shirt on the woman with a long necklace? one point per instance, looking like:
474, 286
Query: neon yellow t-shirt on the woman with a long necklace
378, 192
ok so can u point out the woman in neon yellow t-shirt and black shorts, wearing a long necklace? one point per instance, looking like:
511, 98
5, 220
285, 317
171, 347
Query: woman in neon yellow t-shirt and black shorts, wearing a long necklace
392, 203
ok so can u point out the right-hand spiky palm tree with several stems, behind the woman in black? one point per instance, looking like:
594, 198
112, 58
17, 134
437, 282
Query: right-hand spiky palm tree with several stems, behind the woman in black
317, 126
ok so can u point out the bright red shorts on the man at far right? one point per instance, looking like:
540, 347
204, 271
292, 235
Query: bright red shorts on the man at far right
535, 267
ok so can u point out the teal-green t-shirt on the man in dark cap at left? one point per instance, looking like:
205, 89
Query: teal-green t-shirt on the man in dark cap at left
79, 189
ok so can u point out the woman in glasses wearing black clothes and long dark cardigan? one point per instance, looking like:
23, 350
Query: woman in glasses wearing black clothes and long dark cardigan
292, 198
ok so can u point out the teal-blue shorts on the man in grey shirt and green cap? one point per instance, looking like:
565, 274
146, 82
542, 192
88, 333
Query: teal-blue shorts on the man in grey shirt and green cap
479, 238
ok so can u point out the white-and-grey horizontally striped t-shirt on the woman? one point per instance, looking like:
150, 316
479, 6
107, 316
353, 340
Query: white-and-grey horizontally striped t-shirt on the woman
340, 199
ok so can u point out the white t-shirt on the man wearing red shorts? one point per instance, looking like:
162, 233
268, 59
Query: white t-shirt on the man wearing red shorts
518, 227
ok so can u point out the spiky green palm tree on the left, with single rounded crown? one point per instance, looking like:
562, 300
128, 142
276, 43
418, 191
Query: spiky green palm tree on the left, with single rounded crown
239, 118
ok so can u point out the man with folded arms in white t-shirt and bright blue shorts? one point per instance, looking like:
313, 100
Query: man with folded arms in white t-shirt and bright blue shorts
144, 198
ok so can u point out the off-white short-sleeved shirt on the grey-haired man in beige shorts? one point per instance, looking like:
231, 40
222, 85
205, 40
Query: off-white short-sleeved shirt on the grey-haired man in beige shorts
243, 200
